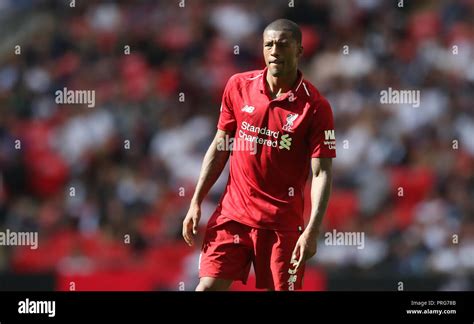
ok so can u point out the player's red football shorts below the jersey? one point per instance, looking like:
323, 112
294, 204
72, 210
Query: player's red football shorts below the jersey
229, 248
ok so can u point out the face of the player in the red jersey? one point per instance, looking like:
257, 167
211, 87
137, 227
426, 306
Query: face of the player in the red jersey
281, 52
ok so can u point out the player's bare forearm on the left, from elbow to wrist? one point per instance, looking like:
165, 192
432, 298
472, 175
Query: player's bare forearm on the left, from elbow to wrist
212, 167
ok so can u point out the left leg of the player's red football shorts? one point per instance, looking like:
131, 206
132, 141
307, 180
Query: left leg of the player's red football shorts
227, 250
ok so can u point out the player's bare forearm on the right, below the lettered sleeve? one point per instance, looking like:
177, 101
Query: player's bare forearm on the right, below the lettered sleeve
320, 192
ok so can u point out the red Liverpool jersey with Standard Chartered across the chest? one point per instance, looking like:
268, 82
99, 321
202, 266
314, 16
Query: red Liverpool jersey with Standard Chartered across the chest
274, 141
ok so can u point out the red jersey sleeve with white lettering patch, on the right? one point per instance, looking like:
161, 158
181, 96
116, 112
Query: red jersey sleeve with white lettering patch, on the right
322, 135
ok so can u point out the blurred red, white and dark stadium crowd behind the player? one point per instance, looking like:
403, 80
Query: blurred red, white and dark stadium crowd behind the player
107, 187
